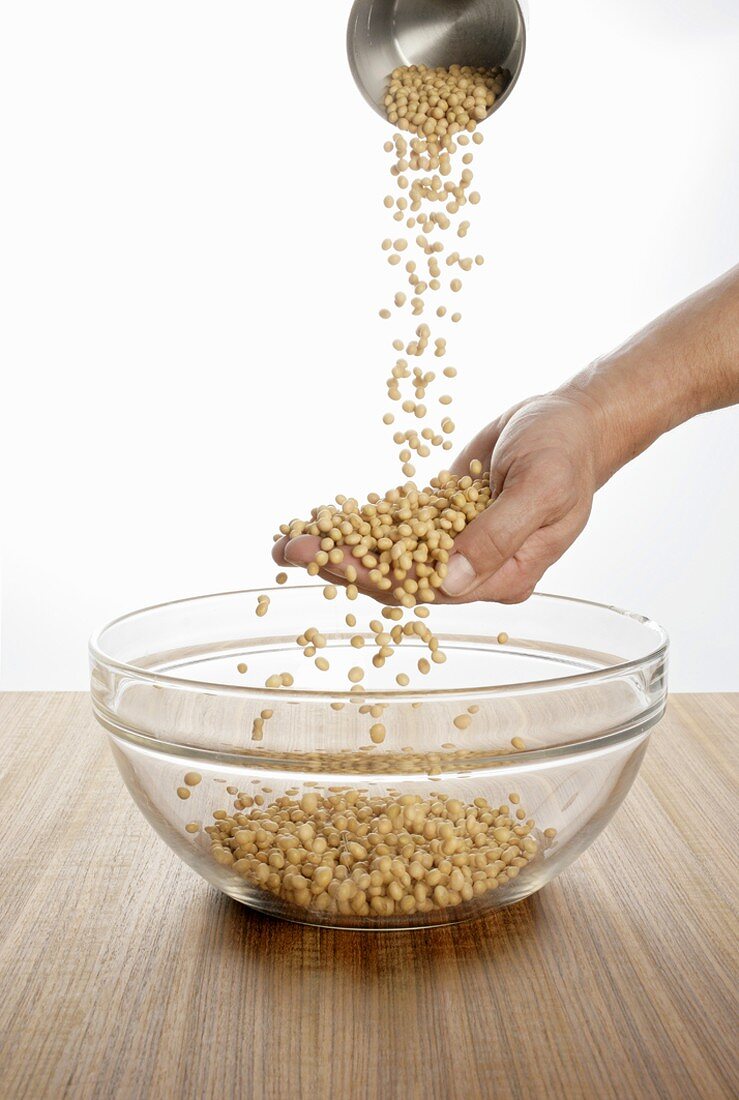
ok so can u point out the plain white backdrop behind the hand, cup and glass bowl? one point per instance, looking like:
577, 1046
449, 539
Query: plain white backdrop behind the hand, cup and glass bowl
192, 214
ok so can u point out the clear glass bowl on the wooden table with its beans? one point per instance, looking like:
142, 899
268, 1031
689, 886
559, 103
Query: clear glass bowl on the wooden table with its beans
442, 821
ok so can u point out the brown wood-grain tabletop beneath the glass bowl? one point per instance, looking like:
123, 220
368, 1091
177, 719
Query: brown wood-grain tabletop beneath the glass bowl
124, 975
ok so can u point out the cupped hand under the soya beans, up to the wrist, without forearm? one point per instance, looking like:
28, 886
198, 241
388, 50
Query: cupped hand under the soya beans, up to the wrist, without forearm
542, 457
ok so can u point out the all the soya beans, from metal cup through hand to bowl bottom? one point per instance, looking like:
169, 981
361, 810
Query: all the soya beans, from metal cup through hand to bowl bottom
348, 851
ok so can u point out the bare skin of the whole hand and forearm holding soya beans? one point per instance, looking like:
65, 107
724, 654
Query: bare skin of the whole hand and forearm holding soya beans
549, 455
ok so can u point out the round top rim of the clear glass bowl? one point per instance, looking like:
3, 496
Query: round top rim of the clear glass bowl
98, 656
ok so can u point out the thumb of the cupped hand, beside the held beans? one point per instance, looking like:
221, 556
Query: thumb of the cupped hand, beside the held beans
493, 538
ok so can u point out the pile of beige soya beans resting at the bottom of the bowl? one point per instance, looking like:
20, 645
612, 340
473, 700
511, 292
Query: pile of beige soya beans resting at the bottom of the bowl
358, 855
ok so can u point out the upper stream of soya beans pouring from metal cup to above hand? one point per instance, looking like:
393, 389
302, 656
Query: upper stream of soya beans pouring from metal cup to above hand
437, 112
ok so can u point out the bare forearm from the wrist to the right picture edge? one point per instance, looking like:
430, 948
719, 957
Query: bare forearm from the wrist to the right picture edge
685, 364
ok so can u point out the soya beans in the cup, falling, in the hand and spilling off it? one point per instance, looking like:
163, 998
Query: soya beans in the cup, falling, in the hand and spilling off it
398, 546
